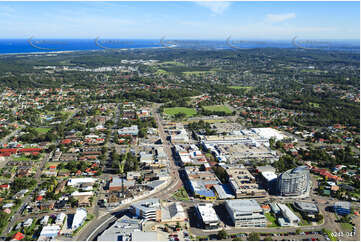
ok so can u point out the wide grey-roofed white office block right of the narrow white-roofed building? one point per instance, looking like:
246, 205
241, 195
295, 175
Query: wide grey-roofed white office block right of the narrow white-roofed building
245, 213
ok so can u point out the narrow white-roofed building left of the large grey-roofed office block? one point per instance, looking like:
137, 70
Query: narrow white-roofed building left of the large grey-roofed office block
207, 215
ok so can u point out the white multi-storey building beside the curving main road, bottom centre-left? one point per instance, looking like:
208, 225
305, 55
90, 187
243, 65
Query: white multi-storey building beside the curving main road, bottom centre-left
148, 209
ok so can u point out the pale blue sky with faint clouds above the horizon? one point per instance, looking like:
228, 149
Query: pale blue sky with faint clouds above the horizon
186, 20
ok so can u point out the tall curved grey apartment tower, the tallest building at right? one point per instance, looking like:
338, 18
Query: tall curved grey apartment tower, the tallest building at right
294, 182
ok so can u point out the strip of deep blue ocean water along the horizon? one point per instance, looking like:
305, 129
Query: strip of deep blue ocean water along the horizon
9, 46
